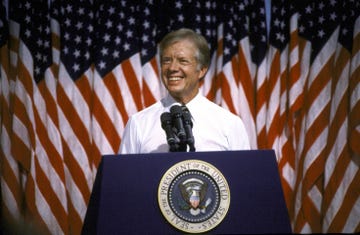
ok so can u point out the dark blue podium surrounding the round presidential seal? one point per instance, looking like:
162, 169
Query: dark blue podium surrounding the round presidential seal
124, 199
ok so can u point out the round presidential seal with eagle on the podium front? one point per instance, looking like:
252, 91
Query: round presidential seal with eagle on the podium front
194, 196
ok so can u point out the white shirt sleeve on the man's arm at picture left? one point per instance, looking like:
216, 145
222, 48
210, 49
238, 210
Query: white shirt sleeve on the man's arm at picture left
129, 142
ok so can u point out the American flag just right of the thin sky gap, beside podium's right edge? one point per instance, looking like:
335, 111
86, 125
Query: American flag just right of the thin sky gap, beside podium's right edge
278, 120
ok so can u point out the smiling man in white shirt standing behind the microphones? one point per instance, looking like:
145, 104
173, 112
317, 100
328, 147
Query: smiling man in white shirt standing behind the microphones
185, 59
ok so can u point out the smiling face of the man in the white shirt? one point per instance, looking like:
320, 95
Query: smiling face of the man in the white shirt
179, 71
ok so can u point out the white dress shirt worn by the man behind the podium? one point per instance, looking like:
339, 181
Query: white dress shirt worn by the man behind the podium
214, 128
